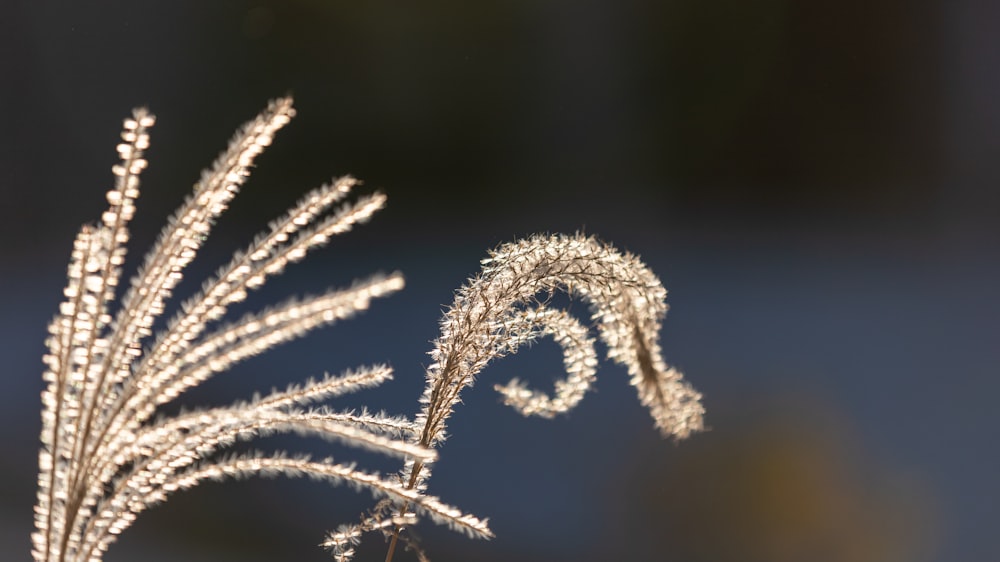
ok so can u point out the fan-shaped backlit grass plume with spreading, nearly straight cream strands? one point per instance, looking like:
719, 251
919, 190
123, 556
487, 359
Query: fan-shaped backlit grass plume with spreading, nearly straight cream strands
103, 459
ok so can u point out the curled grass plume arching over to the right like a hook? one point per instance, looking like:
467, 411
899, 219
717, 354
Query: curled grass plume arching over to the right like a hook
505, 306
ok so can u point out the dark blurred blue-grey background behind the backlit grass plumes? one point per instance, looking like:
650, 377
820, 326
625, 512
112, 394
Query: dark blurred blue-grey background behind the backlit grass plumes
815, 184
